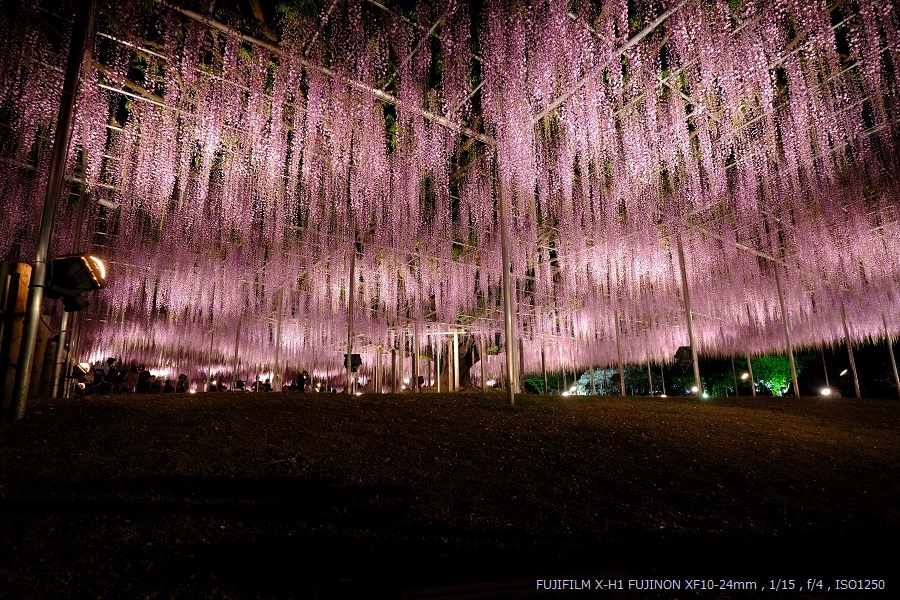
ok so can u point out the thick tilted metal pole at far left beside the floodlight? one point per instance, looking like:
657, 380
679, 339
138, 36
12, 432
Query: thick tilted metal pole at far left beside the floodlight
81, 32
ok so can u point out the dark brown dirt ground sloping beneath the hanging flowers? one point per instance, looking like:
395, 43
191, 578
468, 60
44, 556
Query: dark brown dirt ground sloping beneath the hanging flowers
320, 496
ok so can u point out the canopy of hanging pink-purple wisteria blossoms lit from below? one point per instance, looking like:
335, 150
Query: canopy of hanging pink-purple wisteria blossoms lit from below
227, 181
